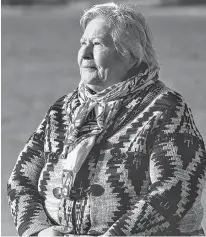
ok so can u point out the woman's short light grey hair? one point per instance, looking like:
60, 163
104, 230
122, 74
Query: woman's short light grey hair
130, 32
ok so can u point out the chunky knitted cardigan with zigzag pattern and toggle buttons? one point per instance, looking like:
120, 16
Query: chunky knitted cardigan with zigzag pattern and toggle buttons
144, 175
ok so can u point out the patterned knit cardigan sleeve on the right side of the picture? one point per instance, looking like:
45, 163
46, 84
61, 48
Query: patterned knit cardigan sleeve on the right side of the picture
177, 173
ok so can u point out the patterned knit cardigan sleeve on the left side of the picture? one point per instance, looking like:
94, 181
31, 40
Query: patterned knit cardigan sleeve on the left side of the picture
25, 202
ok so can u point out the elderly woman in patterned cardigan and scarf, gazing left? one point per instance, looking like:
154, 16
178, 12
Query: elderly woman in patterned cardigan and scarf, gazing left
121, 154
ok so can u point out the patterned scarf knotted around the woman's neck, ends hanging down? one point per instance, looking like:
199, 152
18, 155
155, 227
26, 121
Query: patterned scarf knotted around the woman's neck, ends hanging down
105, 104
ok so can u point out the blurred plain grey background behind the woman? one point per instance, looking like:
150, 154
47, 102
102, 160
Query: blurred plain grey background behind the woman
40, 41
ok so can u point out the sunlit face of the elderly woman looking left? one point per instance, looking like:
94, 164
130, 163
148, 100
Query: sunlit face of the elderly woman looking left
100, 66
